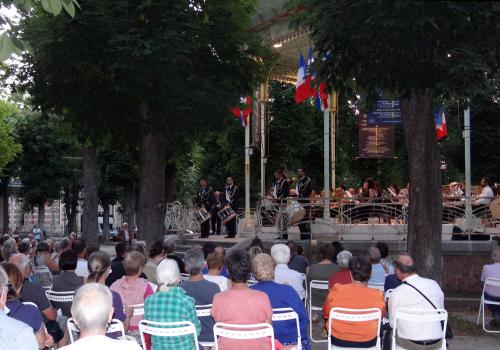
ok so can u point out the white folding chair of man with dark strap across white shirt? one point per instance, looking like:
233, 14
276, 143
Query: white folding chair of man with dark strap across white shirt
420, 316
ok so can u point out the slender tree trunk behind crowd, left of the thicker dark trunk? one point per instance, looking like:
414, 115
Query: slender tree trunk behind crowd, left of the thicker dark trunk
90, 199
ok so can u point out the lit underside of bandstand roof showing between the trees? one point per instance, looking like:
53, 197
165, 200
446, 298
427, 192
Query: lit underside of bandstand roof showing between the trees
272, 22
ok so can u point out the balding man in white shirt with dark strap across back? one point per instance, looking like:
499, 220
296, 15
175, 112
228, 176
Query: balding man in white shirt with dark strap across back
410, 334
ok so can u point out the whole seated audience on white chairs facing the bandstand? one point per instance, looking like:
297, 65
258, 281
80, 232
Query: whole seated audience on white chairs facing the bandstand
242, 288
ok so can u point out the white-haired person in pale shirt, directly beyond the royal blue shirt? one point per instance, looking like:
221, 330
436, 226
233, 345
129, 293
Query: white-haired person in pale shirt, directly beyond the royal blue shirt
282, 273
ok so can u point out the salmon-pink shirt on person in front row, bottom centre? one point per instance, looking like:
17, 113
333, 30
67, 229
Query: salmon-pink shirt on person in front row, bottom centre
242, 306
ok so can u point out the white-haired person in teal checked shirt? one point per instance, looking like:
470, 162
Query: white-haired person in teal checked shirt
171, 304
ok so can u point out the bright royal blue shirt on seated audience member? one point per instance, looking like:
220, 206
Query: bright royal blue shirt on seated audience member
282, 296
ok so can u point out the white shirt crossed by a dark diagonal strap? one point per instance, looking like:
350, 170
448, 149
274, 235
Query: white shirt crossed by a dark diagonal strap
406, 297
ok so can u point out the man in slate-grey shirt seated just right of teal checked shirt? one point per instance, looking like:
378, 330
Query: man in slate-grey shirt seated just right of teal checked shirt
200, 289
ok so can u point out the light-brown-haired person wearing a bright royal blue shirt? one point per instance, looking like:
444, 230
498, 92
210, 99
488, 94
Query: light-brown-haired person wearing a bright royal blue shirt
280, 296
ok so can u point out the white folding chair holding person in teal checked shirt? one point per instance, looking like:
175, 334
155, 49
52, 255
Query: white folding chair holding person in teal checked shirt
167, 329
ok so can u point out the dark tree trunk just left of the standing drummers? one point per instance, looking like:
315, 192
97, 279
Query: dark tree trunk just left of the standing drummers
151, 208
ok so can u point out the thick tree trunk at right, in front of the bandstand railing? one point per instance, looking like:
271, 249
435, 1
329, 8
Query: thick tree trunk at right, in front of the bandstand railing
425, 206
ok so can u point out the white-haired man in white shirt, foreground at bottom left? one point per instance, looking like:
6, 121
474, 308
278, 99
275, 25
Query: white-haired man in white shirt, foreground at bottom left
92, 310
